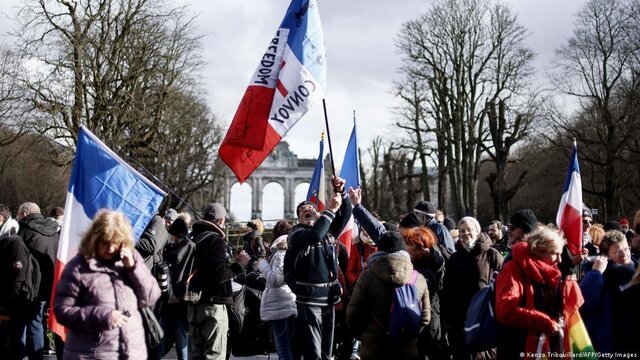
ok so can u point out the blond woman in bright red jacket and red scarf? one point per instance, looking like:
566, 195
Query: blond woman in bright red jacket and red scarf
532, 298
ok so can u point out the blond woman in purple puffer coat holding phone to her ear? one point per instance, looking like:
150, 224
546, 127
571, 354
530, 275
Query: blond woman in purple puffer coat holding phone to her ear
100, 291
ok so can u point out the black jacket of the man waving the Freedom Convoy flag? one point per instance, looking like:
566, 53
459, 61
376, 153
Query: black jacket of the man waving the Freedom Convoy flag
310, 264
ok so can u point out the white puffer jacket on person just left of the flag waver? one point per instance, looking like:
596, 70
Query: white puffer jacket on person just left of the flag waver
278, 301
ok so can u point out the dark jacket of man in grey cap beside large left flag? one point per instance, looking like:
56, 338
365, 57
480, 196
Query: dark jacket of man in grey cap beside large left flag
41, 237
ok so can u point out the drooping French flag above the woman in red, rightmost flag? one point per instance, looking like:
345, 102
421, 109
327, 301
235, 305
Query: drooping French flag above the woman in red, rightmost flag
569, 218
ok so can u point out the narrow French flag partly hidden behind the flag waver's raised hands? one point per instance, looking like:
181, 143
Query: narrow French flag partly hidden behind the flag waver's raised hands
350, 172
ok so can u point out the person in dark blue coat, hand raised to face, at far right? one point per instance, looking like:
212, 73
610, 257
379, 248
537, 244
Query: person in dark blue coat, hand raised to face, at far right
602, 286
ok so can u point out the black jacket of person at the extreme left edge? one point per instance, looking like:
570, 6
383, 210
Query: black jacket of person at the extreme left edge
13, 270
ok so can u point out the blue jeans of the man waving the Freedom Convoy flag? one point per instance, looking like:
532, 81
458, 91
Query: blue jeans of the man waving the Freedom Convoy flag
313, 332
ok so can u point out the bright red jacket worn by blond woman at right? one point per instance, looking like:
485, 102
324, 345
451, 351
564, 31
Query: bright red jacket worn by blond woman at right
514, 282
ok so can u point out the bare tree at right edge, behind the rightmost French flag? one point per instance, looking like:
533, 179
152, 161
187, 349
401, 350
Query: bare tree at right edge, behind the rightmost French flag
598, 67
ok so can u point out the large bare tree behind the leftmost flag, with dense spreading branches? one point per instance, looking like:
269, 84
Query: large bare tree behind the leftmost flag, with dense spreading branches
128, 70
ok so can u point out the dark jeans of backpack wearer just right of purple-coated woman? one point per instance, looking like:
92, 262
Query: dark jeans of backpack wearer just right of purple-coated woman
173, 320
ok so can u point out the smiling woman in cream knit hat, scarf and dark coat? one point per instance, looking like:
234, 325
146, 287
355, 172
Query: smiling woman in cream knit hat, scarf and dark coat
468, 270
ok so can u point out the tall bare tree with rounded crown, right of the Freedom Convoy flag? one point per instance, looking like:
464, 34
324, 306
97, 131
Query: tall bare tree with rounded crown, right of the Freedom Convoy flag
468, 53
